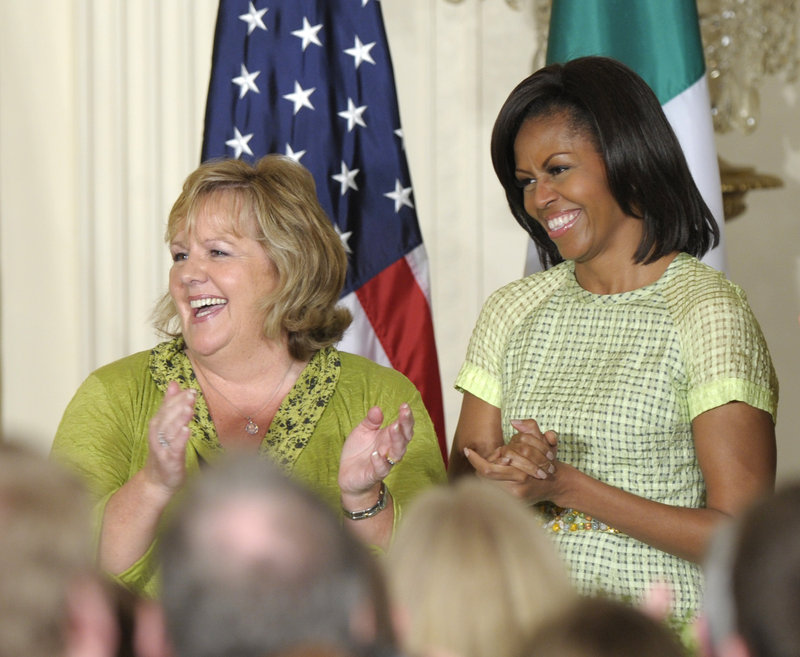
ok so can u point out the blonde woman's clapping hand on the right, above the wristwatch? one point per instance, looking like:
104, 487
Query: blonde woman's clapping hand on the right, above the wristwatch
369, 452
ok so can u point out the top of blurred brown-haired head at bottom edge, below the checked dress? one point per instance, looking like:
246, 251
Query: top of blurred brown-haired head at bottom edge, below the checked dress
599, 627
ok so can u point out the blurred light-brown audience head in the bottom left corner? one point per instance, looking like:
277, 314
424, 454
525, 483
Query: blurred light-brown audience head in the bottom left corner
52, 601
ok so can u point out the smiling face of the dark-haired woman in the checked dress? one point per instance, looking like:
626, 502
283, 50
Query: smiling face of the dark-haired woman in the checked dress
565, 188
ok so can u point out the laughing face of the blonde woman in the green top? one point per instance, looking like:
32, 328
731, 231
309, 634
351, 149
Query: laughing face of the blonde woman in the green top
218, 280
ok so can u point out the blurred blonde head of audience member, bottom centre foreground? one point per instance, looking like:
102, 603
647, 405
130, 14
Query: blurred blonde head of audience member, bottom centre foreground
473, 572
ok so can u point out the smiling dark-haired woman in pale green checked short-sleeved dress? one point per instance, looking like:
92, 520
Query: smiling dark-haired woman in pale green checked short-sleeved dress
627, 389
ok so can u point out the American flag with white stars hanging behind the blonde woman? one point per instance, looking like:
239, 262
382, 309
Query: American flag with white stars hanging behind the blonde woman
312, 79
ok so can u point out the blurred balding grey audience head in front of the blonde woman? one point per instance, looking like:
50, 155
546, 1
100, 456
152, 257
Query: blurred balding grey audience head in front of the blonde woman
254, 564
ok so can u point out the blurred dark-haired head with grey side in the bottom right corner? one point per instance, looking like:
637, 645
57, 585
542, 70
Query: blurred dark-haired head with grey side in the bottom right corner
752, 598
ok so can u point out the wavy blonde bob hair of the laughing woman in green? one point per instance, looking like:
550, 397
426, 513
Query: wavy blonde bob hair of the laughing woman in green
280, 196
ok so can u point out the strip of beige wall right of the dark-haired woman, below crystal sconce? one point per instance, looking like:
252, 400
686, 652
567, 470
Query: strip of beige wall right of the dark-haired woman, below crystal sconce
764, 249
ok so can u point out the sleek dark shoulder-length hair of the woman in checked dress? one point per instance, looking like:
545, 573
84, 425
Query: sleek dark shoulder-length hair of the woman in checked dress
646, 170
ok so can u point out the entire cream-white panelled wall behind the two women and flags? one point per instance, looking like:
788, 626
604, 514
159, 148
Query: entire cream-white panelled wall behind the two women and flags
101, 105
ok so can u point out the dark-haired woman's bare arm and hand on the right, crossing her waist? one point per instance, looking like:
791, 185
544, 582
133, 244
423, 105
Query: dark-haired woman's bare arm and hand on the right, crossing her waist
735, 446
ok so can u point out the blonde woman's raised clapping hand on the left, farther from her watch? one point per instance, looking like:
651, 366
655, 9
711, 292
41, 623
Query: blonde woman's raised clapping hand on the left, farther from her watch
167, 437
